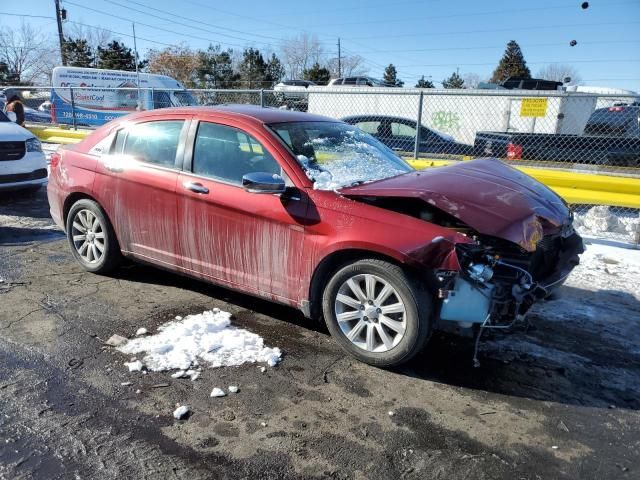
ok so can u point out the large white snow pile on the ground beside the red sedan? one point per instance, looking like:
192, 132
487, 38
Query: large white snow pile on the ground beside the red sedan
206, 337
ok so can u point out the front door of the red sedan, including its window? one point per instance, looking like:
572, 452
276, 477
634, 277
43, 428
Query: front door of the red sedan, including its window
245, 240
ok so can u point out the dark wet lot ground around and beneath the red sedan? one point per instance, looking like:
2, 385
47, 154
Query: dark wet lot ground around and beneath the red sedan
558, 399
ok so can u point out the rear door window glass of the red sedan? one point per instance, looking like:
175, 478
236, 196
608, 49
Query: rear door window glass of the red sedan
151, 142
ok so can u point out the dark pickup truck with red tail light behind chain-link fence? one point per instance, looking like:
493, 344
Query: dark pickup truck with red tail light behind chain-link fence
611, 138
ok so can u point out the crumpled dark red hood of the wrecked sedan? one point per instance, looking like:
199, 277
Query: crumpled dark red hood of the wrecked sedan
490, 197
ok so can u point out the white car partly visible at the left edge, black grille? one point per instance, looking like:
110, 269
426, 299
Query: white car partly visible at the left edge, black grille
23, 164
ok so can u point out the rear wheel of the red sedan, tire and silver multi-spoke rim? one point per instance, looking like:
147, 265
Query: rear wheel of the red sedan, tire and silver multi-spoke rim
87, 219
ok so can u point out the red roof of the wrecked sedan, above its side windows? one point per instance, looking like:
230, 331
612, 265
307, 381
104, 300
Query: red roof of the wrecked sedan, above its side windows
265, 115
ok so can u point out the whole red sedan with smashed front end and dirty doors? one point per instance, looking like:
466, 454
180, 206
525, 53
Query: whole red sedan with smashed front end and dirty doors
312, 212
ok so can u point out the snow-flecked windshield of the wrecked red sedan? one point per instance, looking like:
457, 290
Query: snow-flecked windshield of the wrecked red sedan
336, 155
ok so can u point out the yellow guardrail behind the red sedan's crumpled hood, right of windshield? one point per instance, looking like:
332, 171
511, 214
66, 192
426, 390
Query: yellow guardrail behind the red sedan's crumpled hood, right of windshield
574, 187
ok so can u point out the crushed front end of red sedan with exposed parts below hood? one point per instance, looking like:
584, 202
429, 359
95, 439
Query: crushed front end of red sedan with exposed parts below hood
498, 280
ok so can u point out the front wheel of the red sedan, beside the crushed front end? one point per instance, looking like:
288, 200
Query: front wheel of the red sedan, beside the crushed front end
381, 334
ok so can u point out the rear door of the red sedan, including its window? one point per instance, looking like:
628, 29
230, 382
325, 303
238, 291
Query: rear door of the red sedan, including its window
136, 185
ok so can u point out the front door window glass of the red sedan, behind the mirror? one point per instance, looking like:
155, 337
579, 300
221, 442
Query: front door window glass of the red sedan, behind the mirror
227, 154
